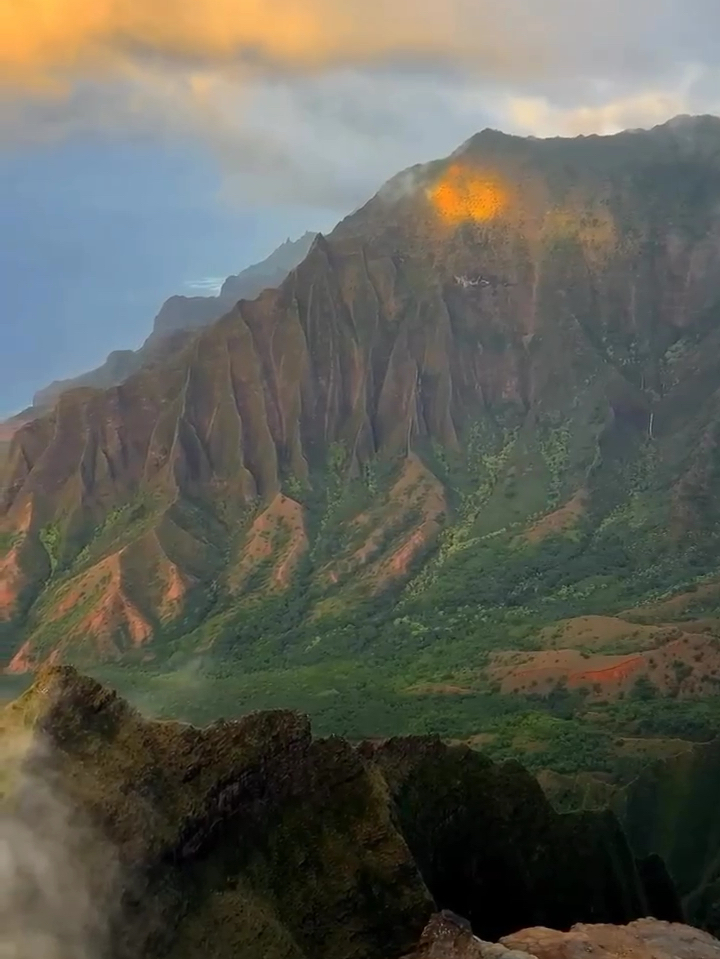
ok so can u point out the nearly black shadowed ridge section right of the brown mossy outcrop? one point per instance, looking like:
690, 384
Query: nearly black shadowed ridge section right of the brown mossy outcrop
491, 848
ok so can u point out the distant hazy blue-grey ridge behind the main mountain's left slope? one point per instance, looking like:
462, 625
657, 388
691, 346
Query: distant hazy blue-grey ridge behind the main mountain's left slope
178, 315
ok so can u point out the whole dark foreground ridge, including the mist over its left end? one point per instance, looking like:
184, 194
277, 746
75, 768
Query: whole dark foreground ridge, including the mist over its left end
124, 837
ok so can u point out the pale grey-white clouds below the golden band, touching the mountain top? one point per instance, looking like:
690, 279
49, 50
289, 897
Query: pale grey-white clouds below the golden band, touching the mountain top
330, 135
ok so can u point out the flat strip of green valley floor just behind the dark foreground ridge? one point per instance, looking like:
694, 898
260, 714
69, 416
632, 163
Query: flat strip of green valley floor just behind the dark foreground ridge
562, 732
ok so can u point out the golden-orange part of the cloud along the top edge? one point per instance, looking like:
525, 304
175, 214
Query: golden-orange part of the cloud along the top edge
46, 41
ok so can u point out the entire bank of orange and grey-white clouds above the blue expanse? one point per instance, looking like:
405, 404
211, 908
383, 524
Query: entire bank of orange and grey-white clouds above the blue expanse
317, 102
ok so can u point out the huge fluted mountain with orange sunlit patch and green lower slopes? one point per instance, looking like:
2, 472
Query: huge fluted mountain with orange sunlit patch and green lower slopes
471, 441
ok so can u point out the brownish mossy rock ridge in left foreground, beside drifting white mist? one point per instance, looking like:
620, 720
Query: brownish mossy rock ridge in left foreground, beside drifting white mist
245, 838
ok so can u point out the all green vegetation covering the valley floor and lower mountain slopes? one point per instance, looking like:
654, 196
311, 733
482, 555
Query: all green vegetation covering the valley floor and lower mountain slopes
413, 658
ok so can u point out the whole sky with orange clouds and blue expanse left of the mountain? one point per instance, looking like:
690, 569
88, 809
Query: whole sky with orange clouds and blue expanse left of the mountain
152, 147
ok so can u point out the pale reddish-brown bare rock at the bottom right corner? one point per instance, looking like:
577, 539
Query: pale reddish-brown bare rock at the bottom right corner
447, 937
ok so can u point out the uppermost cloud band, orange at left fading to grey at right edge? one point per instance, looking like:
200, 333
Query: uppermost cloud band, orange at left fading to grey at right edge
51, 42
